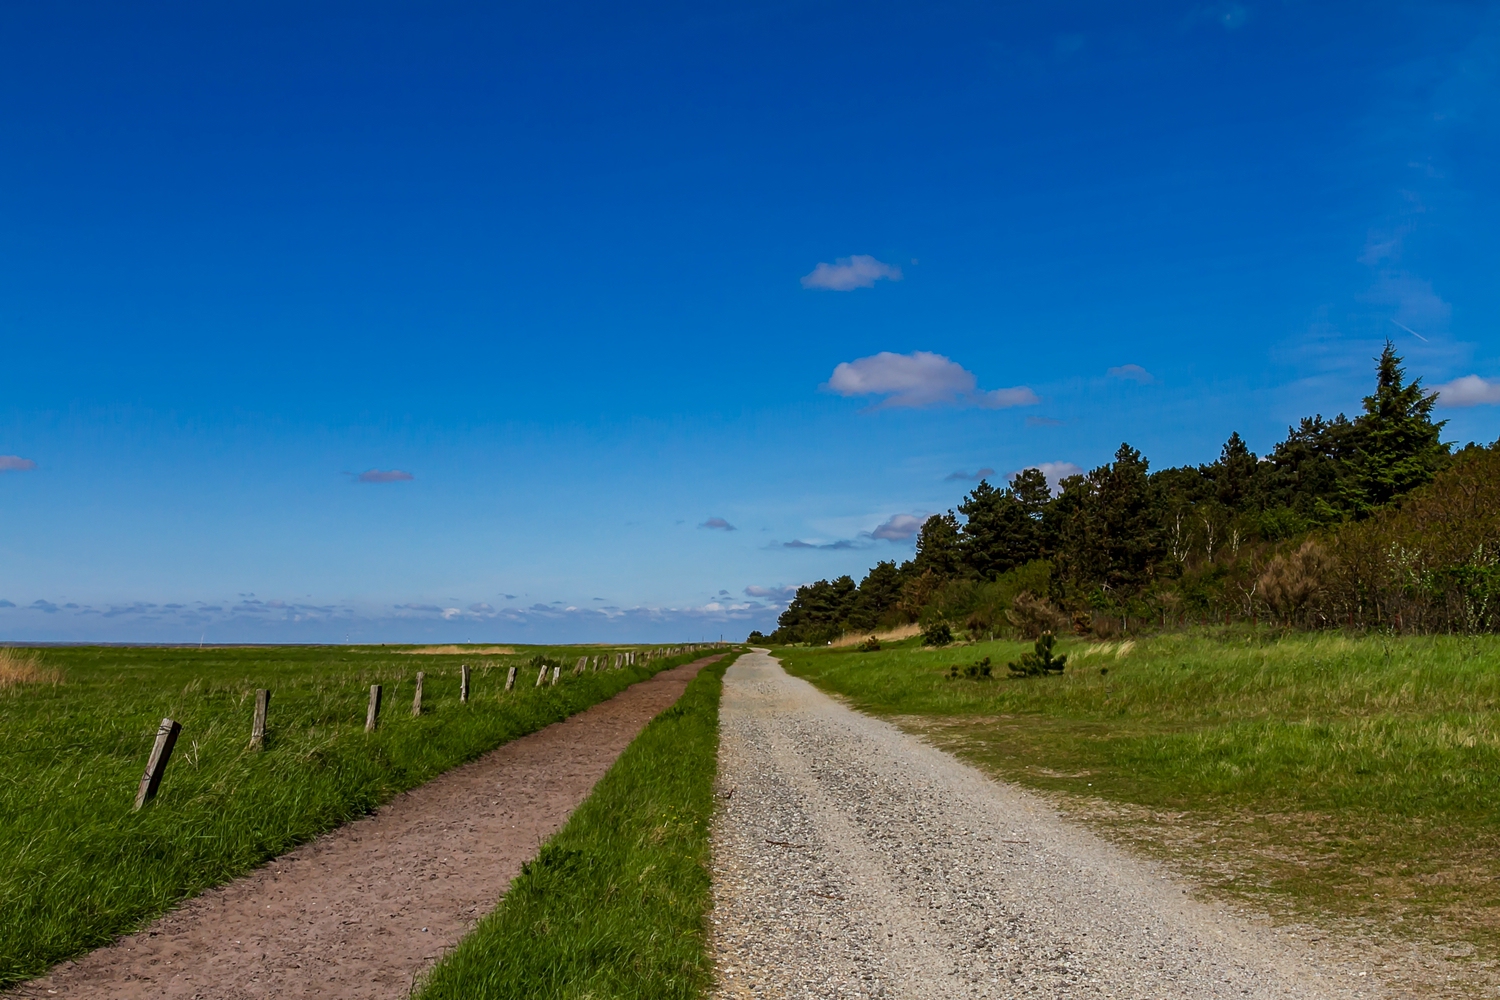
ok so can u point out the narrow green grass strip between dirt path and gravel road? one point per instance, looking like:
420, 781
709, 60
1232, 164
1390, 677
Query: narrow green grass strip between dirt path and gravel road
614, 906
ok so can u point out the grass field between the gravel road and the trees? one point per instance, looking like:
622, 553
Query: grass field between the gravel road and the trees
1321, 776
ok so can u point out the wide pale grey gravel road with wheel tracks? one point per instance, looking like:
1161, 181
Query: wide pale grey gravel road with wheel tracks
856, 861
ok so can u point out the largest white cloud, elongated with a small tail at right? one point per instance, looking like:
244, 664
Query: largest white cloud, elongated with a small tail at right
919, 380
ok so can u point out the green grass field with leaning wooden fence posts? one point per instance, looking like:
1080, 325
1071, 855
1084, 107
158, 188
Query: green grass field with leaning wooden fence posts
79, 867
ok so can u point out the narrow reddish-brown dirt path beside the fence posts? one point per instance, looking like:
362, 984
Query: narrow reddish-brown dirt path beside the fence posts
362, 911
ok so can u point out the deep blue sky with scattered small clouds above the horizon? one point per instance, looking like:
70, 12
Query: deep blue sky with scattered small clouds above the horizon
664, 310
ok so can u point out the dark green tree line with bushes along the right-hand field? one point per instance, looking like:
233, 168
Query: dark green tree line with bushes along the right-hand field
1370, 521
